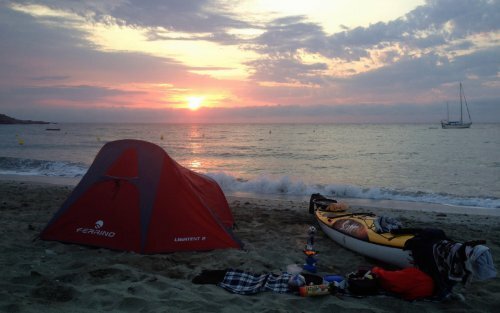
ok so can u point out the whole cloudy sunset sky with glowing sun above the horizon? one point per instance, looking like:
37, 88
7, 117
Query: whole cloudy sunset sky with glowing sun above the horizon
249, 61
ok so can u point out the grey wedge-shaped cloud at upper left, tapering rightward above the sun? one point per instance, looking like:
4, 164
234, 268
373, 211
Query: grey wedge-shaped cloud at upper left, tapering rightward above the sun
32, 49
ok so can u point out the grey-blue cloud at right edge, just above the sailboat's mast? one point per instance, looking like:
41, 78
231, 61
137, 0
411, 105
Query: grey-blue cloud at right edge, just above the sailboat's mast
412, 76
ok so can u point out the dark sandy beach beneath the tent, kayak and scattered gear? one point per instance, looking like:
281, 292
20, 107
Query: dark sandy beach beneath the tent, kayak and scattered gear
41, 276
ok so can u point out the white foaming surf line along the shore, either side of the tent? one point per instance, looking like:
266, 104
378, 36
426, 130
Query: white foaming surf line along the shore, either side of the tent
262, 185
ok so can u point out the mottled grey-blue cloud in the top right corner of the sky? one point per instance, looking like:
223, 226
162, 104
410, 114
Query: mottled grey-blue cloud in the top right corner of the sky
432, 25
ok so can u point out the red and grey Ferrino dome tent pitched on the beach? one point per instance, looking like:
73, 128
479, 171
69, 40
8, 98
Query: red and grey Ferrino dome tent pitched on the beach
134, 197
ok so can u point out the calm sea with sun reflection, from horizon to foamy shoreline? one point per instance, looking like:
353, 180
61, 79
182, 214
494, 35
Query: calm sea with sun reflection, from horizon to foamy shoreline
419, 162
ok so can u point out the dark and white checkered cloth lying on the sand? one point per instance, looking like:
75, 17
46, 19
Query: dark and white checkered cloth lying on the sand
245, 283
